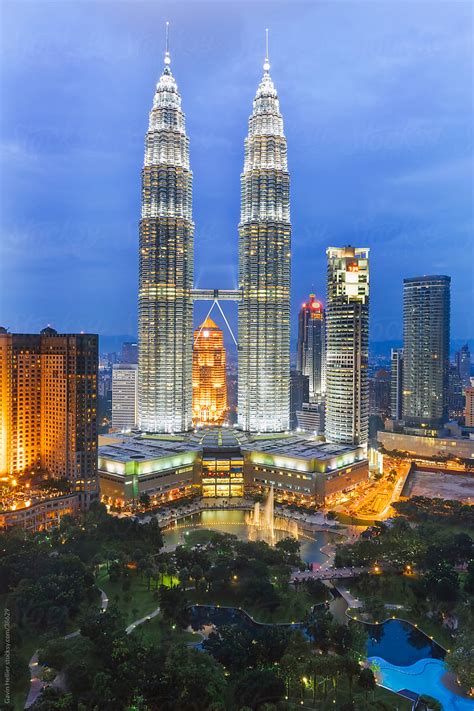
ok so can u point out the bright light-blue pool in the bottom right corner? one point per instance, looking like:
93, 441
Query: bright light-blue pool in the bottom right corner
422, 677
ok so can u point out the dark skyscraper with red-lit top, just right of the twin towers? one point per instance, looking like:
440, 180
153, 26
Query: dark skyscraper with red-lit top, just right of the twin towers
311, 356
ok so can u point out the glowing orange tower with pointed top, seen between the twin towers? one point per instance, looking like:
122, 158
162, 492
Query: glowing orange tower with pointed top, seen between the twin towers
209, 375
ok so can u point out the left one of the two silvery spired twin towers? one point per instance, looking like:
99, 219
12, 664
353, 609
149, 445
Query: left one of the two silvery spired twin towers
165, 323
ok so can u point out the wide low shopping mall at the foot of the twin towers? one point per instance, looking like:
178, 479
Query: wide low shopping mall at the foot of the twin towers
226, 463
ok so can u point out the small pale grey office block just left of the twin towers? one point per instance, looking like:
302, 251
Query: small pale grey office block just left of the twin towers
125, 396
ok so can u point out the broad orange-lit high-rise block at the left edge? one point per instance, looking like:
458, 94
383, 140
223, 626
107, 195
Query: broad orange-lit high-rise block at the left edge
49, 403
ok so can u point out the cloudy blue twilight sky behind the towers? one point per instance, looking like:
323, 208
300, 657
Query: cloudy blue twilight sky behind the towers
377, 99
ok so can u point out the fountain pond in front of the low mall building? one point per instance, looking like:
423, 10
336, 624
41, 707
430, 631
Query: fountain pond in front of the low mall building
234, 521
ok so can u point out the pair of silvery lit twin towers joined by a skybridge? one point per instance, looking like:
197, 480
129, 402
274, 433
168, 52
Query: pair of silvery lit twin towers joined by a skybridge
166, 293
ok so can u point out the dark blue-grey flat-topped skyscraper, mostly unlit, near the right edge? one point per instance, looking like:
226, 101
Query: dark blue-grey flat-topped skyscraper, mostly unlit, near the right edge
426, 314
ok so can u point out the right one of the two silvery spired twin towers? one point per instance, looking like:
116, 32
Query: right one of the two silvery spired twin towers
264, 269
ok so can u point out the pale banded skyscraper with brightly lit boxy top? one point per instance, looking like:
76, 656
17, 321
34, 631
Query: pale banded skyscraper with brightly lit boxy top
347, 345
